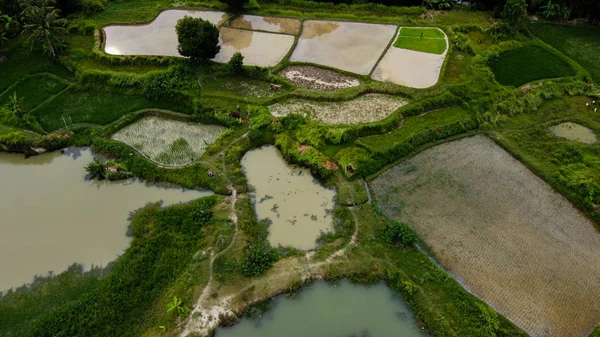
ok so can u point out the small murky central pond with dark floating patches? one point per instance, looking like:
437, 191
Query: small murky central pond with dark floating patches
297, 207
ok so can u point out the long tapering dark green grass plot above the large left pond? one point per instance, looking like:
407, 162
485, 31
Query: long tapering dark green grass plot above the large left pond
96, 107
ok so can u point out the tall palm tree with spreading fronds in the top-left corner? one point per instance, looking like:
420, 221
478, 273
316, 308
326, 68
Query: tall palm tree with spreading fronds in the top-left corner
43, 23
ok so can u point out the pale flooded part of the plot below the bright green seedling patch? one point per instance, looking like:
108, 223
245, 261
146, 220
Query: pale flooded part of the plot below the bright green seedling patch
410, 68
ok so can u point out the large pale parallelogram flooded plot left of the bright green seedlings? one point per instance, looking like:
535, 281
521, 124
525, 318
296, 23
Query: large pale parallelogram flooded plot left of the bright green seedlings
349, 46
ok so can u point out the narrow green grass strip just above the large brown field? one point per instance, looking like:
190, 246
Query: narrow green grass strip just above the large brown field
413, 125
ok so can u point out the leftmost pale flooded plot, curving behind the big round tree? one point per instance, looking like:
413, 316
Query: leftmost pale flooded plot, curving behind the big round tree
155, 38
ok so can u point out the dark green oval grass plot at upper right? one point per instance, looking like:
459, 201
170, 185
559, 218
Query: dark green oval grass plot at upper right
529, 63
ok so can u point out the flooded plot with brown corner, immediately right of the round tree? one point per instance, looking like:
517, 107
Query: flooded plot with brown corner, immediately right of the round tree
258, 48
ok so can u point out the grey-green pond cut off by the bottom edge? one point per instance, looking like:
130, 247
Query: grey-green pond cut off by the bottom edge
325, 310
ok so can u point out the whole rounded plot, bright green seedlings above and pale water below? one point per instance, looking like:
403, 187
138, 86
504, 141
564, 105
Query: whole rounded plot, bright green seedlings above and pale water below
414, 61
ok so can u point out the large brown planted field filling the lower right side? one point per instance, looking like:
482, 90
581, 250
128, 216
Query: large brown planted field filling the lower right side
501, 231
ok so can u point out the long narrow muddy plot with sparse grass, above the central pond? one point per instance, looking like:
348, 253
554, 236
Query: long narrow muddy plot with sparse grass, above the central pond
364, 109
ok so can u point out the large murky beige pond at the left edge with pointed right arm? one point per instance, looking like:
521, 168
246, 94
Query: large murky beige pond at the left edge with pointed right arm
52, 217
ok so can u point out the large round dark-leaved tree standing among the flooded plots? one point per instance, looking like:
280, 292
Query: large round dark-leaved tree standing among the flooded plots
198, 39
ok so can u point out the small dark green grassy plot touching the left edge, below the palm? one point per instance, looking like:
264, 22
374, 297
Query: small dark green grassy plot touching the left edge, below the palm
34, 89
